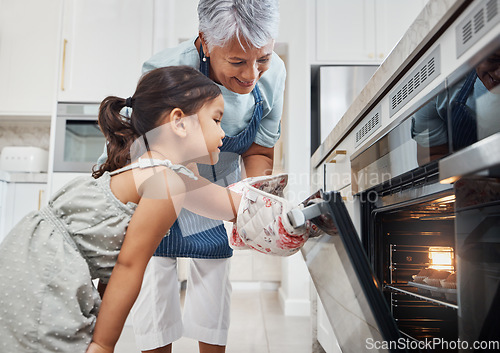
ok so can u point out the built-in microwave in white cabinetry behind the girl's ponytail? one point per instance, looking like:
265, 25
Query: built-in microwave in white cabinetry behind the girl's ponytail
78, 140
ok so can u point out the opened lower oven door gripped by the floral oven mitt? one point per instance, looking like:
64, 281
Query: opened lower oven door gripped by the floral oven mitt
345, 283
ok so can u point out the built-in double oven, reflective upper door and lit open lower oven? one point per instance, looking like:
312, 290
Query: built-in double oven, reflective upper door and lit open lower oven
429, 192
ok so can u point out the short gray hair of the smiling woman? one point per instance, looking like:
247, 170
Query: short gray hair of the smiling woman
254, 21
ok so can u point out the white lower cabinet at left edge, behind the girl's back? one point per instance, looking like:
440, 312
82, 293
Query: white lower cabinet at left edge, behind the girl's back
17, 200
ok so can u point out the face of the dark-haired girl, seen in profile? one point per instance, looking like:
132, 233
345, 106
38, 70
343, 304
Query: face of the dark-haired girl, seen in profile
209, 117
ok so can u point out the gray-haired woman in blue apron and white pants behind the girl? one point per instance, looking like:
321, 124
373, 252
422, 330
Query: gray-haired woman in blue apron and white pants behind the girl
234, 48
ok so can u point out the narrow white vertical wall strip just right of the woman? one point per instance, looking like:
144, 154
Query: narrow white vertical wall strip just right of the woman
294, 291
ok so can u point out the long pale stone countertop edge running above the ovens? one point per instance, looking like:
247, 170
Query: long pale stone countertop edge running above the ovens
426, 25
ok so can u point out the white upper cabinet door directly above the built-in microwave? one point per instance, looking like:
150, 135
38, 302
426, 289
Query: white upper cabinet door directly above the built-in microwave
103, 47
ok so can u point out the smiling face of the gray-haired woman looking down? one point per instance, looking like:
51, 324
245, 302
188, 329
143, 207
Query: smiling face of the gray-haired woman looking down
239, 68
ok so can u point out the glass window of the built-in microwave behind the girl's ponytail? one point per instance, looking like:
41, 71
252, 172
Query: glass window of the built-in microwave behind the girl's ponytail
84, 142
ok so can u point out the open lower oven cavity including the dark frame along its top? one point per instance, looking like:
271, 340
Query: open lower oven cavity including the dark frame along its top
409, 236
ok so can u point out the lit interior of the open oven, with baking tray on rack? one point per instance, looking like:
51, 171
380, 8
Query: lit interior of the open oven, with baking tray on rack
415, 258
